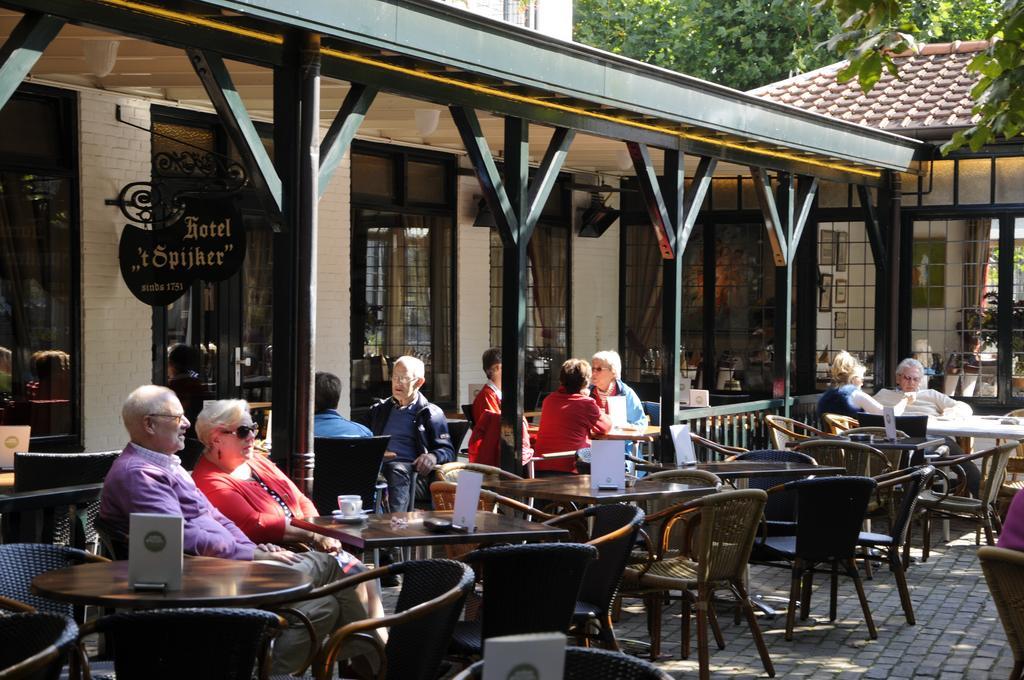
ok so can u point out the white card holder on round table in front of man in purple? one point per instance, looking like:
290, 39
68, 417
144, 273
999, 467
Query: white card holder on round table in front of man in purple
155, 556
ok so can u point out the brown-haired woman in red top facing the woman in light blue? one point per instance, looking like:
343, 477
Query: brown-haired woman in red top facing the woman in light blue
569, 417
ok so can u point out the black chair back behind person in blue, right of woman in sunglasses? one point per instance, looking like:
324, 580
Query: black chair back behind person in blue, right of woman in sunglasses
347, 466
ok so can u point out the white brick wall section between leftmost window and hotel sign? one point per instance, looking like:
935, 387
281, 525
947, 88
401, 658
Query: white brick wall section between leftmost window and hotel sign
117, 329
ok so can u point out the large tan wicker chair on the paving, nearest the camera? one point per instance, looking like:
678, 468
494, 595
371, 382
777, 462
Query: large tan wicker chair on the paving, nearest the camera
716, 560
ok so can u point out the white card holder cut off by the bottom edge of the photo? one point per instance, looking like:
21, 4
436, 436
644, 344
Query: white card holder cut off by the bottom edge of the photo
535, 656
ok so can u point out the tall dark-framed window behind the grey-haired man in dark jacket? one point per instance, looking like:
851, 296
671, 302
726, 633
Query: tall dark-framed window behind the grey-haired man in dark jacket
403, 271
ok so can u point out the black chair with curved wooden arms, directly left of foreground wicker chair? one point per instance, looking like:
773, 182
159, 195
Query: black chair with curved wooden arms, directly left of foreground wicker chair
614, 532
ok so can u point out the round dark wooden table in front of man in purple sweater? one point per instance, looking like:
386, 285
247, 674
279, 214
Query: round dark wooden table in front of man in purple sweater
207, 582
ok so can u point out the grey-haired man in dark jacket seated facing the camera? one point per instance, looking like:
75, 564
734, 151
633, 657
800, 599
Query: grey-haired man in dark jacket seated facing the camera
419, 432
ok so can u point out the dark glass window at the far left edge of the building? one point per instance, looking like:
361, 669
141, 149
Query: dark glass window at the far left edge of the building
39, 256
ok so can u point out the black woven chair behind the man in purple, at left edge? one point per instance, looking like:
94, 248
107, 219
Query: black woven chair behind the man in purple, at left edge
35, 472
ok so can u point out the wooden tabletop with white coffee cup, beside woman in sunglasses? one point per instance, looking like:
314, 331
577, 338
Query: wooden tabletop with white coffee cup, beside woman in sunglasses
378, 532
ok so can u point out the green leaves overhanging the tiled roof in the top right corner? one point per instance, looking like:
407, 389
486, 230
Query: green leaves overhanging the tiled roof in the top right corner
873, 30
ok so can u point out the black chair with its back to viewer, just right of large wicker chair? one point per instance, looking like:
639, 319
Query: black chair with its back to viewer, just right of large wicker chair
830, 513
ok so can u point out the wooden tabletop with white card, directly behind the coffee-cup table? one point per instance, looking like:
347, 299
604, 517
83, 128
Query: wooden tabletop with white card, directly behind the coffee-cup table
577, 489
